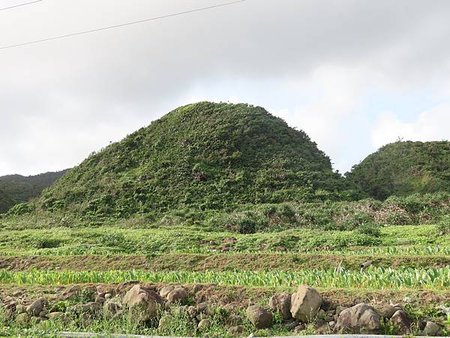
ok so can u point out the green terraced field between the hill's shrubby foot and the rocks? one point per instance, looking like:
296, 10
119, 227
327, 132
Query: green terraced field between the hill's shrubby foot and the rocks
411, 264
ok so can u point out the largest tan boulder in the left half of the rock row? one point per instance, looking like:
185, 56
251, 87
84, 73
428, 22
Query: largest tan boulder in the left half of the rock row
142, 304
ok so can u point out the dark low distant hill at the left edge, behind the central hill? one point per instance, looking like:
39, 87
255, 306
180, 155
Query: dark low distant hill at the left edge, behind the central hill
16, 189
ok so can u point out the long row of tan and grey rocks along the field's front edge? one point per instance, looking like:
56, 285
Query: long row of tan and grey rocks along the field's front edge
158, 307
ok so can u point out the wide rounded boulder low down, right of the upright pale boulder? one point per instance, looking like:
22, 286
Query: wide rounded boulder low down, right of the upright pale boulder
360, 318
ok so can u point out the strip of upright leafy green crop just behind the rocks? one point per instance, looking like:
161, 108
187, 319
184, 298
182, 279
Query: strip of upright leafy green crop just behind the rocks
373, 278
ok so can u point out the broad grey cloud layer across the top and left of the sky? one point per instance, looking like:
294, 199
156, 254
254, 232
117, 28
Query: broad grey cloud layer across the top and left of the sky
90, 89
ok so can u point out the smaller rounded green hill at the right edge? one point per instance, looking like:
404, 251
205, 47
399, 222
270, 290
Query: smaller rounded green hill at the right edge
404, 168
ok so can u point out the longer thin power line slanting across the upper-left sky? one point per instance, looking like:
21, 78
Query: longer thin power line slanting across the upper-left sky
120, 25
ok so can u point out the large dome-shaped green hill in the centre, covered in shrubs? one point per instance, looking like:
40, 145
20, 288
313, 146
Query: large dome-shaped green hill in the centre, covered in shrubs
202, 156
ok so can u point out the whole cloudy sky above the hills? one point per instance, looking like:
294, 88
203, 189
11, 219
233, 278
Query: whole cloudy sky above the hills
353, 74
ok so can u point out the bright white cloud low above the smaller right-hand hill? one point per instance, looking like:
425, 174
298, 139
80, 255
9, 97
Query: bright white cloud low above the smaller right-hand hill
431, 125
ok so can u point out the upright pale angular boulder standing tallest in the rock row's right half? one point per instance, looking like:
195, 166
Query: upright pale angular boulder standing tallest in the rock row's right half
305, 303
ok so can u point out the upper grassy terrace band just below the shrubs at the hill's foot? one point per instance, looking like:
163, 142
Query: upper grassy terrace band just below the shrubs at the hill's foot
394, 240
